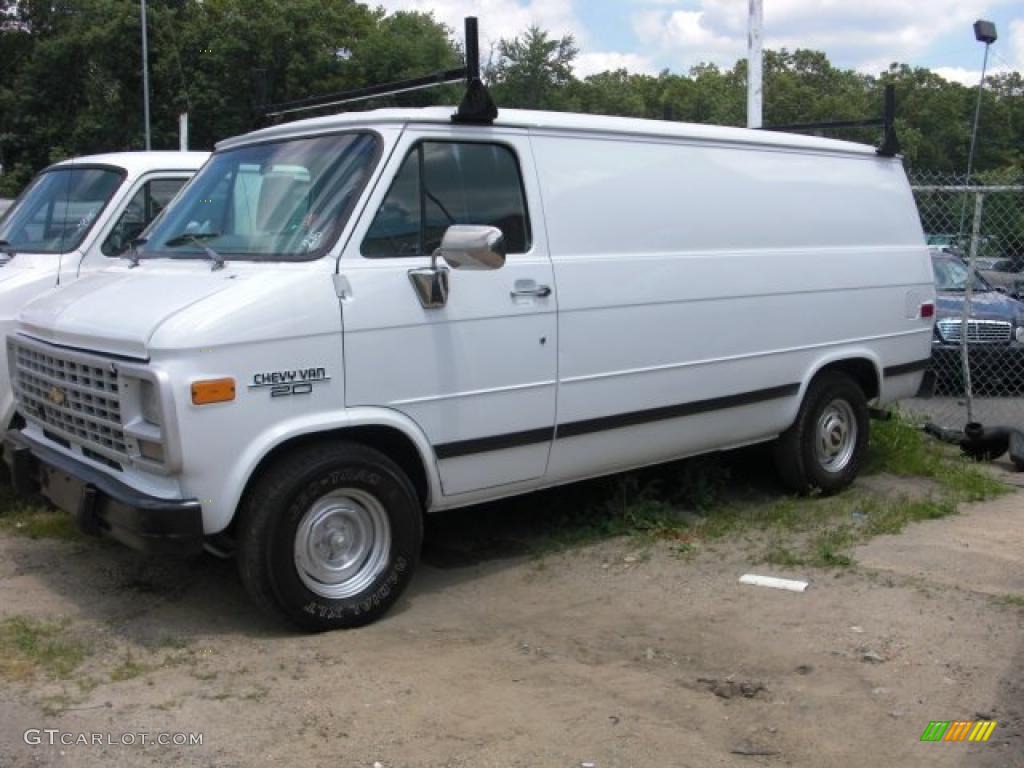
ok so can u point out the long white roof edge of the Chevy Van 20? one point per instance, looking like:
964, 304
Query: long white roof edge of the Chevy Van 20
552, 121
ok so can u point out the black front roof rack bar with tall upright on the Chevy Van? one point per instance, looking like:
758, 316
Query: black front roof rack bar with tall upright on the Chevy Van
477, 107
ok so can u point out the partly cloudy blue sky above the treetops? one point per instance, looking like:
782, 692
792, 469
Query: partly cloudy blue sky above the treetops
649, 36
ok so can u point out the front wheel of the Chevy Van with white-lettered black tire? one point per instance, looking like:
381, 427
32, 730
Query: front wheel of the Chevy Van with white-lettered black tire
288, 496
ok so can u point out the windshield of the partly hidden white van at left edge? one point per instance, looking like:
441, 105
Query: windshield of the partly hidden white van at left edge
59, 209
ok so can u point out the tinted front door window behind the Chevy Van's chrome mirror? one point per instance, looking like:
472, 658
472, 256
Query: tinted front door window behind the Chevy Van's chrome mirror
446, 183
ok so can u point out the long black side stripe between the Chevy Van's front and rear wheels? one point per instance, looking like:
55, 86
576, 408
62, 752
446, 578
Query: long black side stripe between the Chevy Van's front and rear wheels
605, 423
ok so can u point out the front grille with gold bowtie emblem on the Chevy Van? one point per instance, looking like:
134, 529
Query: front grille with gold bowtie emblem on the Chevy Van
77, 397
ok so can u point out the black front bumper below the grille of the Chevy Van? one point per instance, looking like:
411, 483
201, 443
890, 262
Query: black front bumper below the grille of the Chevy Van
104, 505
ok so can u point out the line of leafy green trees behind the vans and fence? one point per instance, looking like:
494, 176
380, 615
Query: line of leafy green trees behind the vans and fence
71, 80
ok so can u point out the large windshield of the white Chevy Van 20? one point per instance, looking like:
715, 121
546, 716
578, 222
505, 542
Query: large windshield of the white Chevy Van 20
282, 201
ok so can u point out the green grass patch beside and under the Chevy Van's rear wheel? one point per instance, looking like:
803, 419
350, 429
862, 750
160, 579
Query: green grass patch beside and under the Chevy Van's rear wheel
665, 503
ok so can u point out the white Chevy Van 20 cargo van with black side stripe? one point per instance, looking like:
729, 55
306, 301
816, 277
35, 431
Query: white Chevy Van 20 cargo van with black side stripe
347, 322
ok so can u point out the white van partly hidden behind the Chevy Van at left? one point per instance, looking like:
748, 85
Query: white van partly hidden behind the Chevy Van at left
73, 219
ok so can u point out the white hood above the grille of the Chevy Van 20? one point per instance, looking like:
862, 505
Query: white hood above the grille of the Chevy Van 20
117, 312
